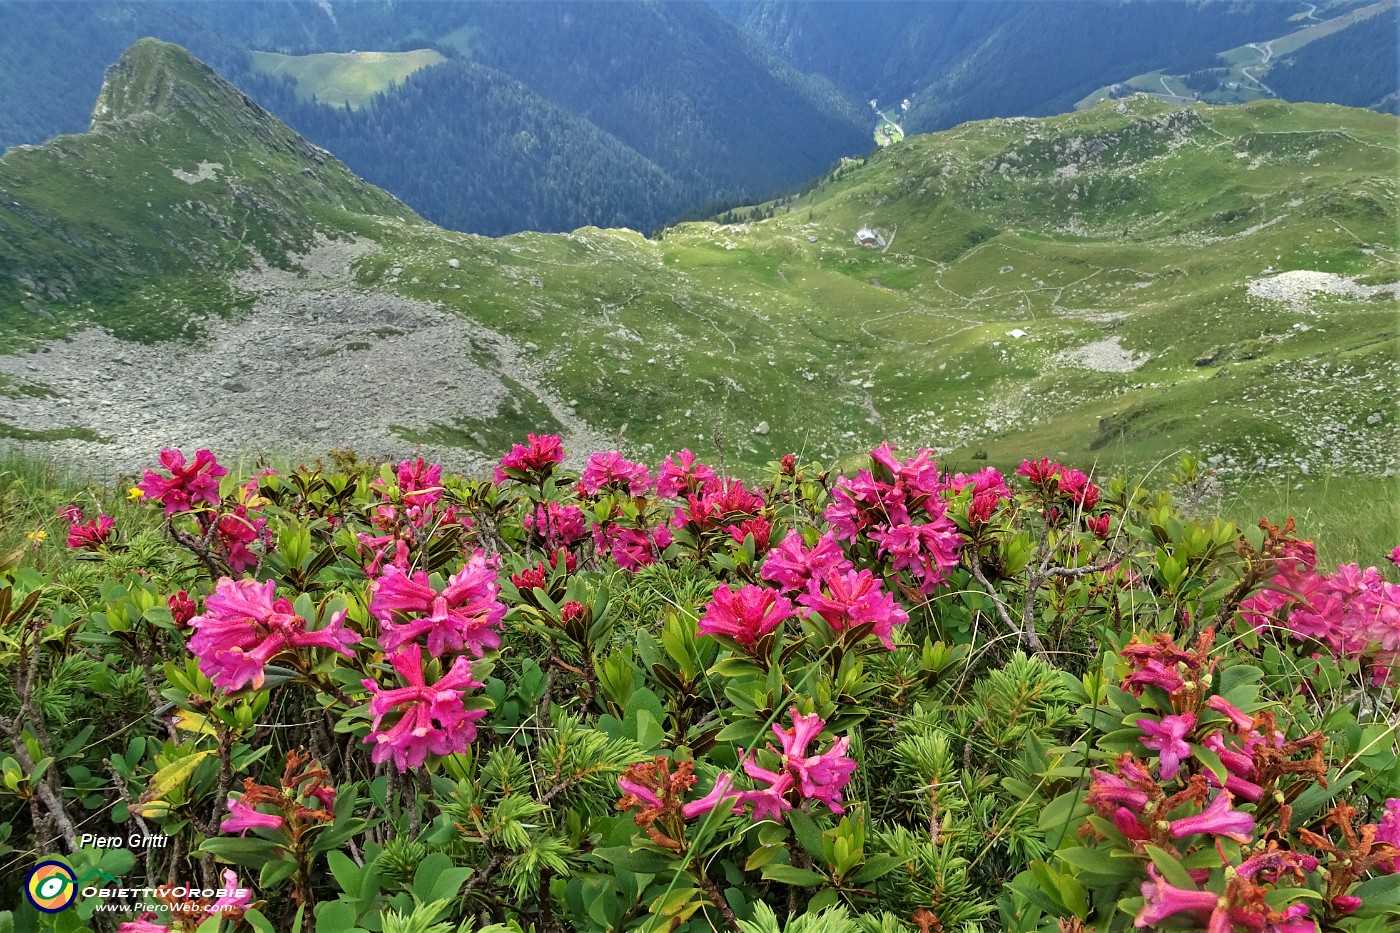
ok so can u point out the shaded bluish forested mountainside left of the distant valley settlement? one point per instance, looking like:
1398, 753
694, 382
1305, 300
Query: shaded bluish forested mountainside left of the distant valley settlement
643, 111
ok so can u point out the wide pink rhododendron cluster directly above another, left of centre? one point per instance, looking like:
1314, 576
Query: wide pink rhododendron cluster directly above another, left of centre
465, 616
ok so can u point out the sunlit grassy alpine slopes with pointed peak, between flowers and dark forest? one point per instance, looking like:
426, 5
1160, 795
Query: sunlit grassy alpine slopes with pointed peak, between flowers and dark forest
1114, 286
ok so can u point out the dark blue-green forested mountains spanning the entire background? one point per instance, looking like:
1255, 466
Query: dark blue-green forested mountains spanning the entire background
554, 116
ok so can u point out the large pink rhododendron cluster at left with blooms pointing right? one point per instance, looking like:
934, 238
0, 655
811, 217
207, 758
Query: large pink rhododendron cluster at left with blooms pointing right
244, 628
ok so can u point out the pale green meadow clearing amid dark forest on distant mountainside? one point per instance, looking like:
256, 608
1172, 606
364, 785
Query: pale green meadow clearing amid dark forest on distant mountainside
345, 79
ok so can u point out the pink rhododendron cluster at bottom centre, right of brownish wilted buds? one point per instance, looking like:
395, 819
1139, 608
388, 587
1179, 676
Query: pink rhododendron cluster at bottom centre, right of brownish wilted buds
800, 777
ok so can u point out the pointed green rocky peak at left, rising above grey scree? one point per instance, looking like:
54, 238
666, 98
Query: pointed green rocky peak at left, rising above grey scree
180, 176
